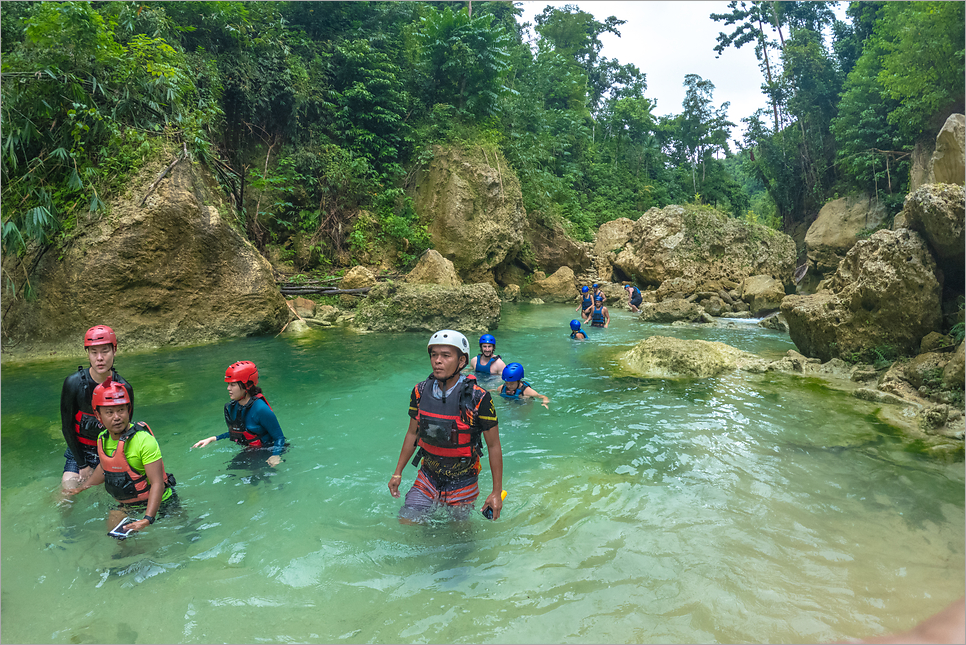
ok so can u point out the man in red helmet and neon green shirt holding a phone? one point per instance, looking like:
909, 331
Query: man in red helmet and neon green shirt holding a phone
130, 465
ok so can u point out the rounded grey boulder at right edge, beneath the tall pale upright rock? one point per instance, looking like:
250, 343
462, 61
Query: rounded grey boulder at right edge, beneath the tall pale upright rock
937, 211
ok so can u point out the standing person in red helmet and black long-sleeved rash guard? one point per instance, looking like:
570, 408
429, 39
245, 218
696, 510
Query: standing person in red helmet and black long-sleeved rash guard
78, 423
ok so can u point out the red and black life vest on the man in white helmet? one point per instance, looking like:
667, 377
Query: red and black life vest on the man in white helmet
447, 428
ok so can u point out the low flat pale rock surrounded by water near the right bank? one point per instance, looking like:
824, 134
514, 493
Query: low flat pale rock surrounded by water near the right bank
665, 357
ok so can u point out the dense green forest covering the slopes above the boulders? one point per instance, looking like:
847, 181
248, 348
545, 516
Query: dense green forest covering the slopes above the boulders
310, 113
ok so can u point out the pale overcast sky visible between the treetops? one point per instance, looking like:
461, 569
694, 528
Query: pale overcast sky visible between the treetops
668, 40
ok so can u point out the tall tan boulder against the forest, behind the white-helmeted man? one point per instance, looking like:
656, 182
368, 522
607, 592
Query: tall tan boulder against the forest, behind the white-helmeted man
473, 208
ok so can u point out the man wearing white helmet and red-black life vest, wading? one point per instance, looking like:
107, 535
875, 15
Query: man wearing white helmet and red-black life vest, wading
450, 418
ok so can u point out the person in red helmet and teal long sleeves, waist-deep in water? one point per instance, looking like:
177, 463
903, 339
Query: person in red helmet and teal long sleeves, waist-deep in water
251, 421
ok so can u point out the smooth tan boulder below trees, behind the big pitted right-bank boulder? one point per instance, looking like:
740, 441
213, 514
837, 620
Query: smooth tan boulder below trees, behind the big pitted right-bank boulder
837, 229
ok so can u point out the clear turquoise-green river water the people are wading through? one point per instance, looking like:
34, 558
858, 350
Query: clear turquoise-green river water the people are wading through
744, 508
